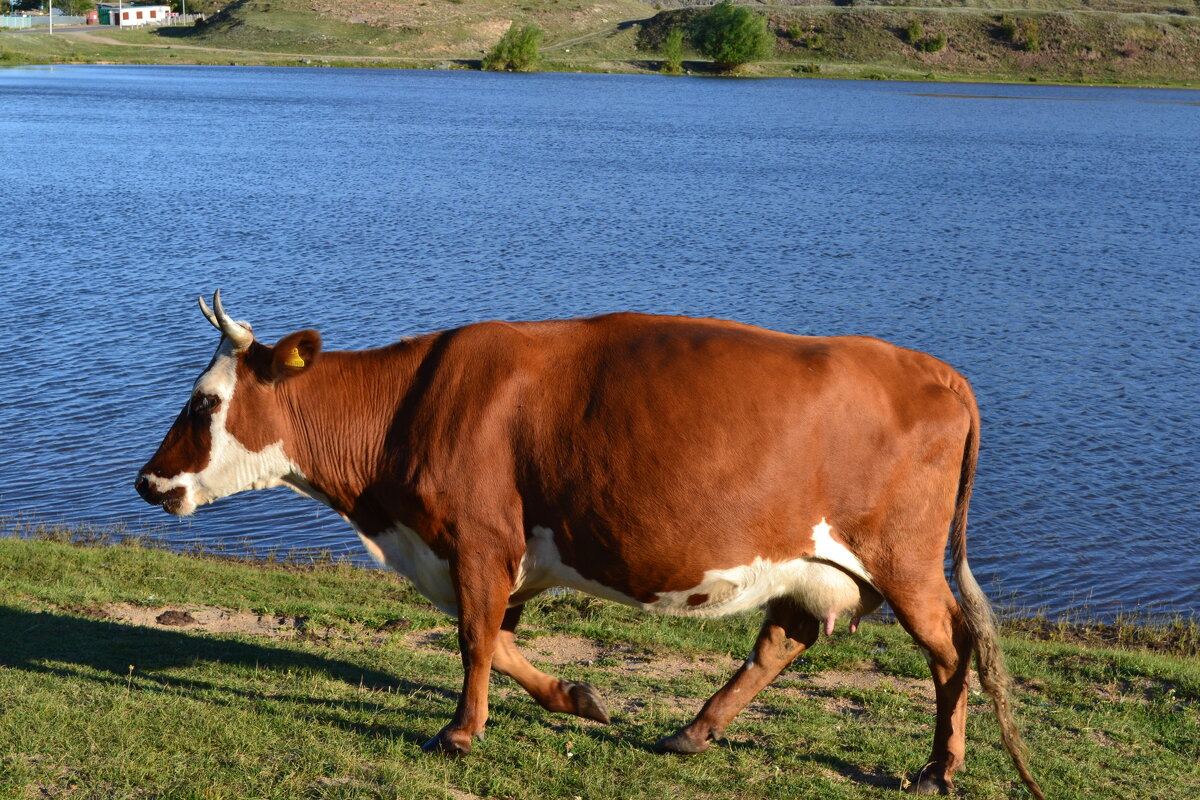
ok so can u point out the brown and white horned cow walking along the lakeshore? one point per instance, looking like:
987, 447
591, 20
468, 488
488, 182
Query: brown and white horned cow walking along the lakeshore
691, 467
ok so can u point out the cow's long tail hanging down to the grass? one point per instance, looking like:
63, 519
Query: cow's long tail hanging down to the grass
977, 611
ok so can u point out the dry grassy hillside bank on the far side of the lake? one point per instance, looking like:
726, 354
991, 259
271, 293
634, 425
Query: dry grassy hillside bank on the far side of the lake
1113, 43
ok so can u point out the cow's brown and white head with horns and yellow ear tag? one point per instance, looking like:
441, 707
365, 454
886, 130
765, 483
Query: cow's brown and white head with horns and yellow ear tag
232, 434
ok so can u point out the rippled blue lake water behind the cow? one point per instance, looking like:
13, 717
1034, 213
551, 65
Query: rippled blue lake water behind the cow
1045, 240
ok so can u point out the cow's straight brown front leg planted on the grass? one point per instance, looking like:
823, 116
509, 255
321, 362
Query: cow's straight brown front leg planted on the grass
483, 588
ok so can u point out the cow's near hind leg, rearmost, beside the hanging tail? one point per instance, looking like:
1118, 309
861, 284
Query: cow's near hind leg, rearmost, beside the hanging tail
932, 616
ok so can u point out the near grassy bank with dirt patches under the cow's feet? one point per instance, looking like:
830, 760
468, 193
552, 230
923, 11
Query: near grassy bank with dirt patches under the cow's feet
130, 672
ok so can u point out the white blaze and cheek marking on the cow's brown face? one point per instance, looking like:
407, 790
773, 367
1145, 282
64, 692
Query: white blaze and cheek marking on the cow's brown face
232, 468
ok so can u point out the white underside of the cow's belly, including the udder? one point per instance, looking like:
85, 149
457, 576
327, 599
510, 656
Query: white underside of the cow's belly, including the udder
814, 584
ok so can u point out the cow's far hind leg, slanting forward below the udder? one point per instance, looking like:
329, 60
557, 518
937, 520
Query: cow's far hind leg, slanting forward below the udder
787, 633
